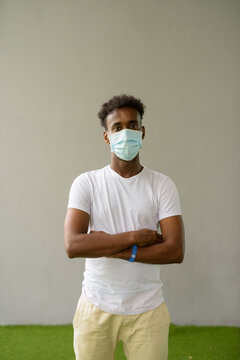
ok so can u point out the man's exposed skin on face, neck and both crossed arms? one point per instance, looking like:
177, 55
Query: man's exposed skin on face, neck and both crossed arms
153, 248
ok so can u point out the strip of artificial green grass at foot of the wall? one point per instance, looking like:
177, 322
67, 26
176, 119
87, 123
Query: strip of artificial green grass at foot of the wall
30, 342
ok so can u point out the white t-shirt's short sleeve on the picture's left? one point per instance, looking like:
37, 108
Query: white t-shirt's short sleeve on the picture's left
79, 195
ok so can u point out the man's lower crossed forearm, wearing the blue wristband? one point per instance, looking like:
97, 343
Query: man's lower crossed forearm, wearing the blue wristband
161, 253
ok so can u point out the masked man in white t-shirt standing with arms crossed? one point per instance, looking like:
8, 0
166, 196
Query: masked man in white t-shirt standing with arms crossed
112, 220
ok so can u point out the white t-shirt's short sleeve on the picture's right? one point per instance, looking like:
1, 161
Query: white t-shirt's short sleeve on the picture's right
168, 200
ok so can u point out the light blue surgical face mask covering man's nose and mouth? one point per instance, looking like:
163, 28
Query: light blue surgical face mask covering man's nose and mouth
126, 143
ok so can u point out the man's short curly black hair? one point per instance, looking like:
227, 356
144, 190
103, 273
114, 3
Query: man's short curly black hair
117, 102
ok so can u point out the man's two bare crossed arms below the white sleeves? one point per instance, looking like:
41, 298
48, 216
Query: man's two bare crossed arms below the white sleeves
163, 249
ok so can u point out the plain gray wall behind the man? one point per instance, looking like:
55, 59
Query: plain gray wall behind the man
60, 60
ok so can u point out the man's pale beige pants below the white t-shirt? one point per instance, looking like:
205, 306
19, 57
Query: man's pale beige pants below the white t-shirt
96, 333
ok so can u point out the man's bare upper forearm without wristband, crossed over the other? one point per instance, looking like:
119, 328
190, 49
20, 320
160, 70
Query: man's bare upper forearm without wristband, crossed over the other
99, 244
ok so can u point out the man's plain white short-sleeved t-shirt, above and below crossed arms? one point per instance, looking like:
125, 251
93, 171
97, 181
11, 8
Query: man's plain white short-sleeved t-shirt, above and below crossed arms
117, 204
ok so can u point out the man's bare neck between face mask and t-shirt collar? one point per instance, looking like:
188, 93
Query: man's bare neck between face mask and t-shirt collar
126, 168
